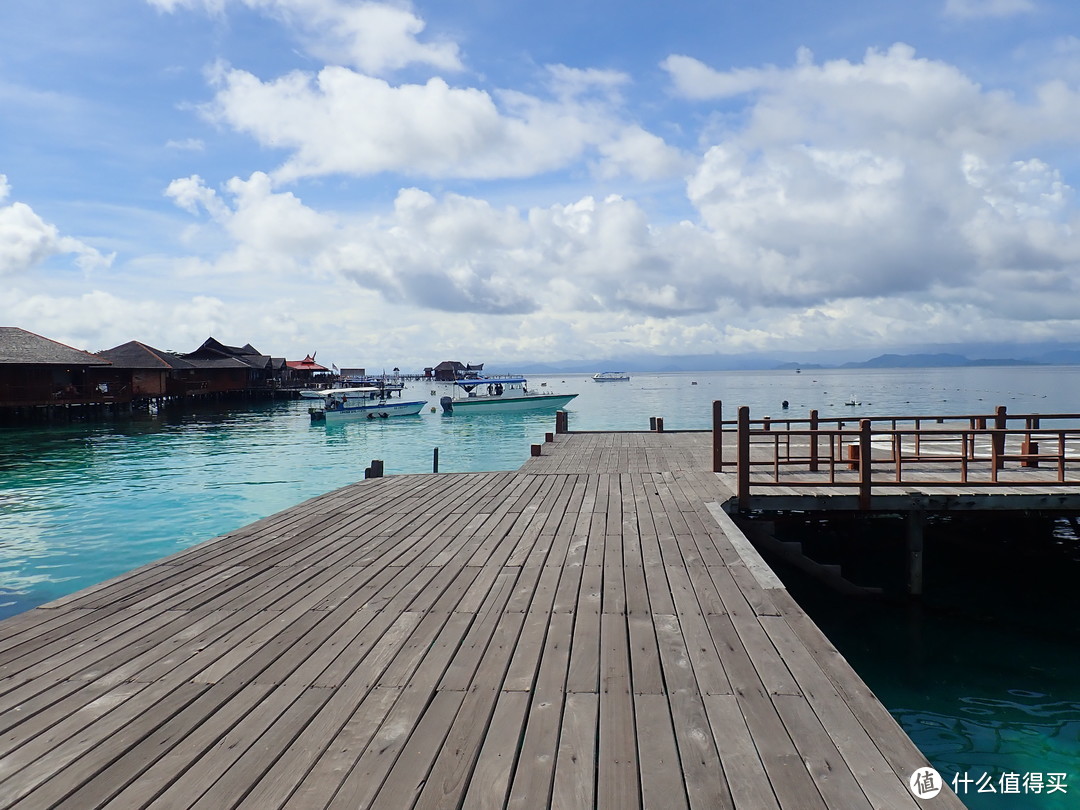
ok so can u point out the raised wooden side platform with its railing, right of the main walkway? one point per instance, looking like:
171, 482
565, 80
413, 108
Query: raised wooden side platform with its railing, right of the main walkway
904, 464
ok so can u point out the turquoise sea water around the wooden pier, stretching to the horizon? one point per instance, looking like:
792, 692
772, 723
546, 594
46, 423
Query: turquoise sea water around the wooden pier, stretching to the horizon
980, 694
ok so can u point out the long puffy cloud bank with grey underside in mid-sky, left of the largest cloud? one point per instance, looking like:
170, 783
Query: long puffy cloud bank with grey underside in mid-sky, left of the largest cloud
457, 253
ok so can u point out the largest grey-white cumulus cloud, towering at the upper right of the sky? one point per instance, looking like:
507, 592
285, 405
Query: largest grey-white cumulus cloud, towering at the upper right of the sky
896, 177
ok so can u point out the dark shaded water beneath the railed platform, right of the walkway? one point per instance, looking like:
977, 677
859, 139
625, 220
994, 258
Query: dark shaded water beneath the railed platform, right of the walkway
983, 672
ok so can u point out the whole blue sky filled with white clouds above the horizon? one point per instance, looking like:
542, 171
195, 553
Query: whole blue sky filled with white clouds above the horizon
397, 184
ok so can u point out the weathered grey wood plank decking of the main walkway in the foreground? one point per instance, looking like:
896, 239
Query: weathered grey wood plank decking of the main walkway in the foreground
584, 632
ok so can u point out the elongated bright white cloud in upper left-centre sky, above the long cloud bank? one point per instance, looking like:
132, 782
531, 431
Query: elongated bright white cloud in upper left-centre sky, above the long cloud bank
341, 121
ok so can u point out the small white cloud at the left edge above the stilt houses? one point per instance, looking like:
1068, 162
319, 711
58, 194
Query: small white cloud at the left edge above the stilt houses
26, 240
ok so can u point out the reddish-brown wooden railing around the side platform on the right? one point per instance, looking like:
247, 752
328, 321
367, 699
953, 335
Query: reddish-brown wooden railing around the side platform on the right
922, 452
